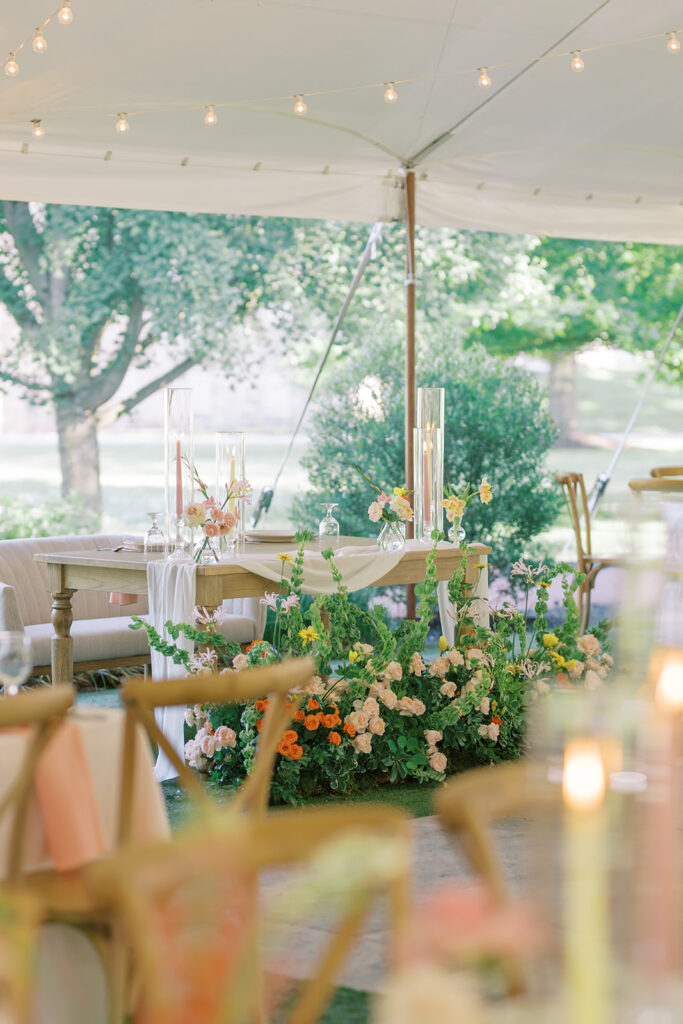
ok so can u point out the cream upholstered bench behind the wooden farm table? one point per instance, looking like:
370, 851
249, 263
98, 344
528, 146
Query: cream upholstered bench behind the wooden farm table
101, 634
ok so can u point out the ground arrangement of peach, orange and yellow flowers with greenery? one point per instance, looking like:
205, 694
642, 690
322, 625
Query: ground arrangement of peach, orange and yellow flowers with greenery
377, 711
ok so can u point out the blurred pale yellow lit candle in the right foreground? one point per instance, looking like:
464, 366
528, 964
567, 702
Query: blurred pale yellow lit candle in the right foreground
588, 980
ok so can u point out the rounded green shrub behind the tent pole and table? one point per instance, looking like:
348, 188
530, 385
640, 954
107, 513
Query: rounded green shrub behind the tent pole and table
495, 425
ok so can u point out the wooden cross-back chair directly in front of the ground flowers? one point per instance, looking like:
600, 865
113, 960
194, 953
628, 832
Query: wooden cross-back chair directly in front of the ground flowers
143, 697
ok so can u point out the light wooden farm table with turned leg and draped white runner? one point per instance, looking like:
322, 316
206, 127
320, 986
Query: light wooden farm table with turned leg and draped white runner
126, 572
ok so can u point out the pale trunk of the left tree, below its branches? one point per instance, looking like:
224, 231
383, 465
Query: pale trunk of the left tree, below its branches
79, 454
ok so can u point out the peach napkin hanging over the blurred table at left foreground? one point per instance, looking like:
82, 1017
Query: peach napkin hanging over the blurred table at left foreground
67, 800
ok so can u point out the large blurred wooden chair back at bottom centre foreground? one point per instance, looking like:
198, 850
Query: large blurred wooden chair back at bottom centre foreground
199, 940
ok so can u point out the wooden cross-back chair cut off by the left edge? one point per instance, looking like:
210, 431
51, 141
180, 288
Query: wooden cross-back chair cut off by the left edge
40, 711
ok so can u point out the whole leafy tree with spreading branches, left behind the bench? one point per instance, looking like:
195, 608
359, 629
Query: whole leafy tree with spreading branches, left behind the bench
96, 291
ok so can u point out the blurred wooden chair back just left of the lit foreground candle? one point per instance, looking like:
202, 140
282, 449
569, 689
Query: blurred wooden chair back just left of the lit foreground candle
471, 803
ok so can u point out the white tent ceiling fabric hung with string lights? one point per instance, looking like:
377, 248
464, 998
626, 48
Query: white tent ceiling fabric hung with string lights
590, 155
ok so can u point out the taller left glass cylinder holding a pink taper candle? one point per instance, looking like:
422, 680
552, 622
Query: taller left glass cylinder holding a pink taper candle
180, 472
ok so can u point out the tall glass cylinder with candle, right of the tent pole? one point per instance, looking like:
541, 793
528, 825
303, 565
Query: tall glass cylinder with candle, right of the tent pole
429, 473
